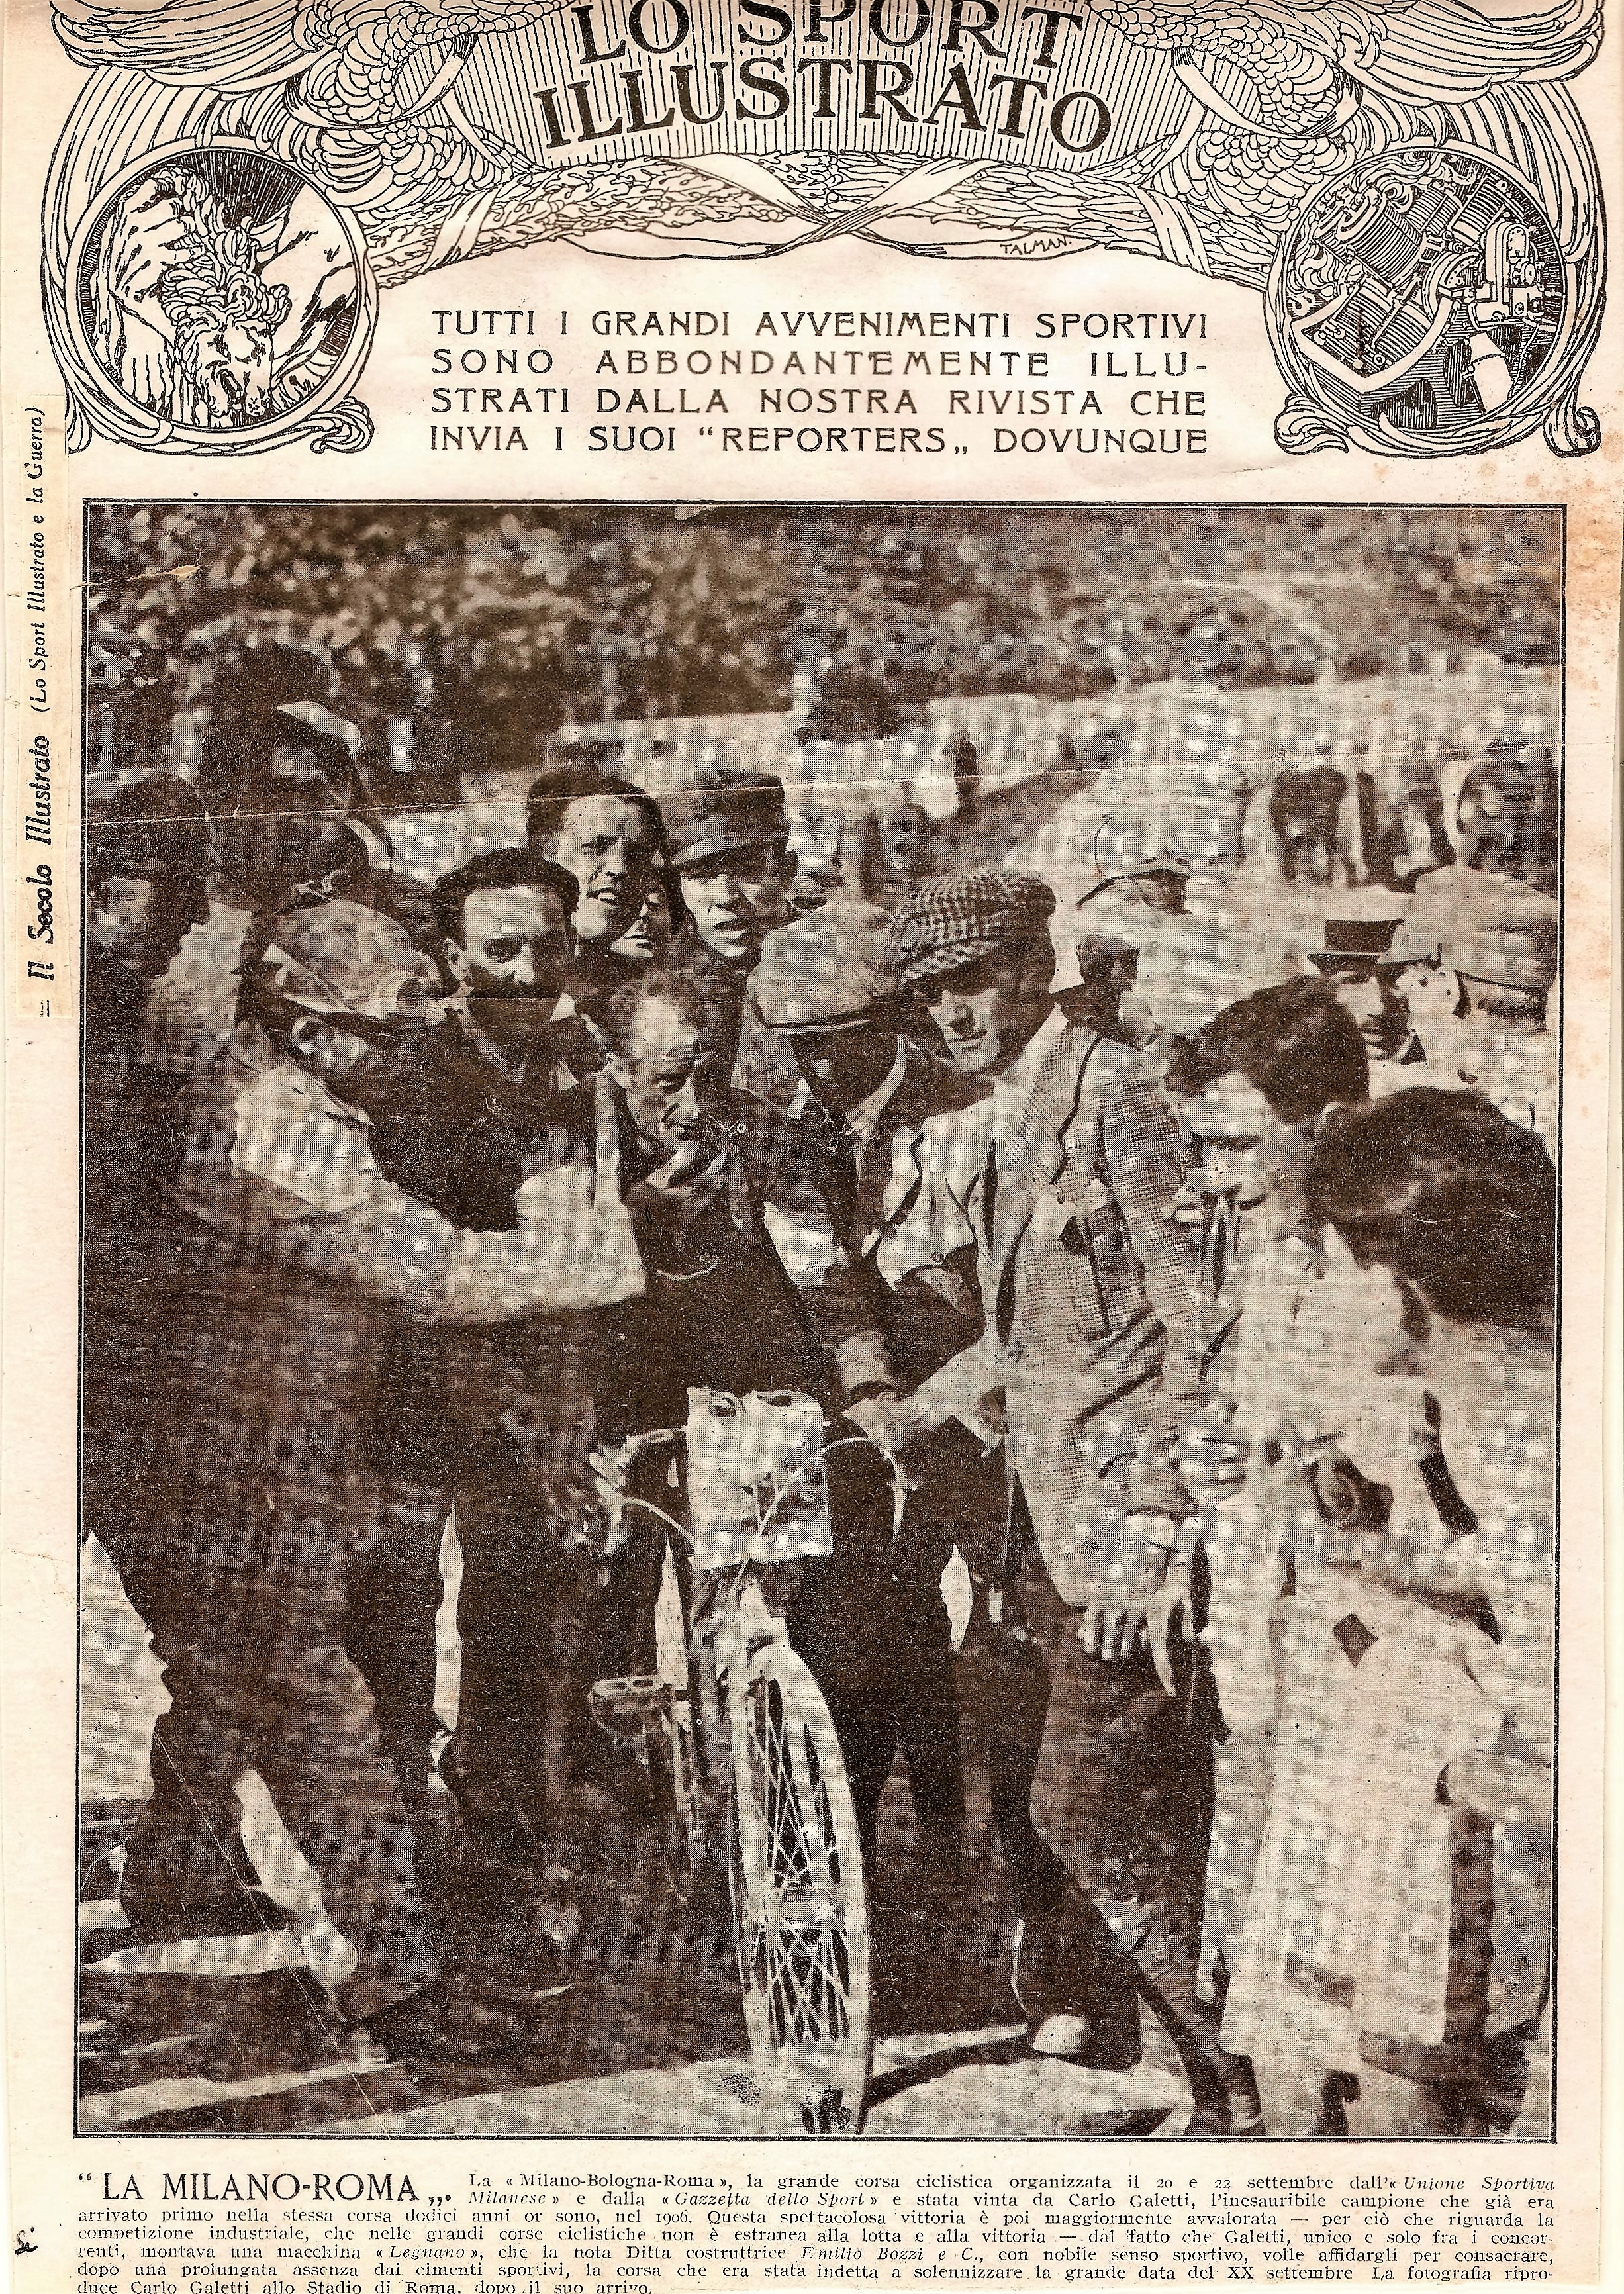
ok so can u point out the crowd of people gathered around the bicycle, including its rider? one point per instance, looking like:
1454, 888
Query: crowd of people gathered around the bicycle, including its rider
1221, 1357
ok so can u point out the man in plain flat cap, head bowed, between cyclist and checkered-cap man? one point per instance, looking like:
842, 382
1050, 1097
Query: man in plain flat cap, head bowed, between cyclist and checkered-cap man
827, 985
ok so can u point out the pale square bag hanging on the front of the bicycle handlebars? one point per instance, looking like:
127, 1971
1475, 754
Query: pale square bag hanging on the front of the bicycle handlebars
758, 1488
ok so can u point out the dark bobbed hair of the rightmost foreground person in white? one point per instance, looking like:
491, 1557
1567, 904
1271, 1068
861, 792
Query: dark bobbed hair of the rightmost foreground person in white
1453, 1199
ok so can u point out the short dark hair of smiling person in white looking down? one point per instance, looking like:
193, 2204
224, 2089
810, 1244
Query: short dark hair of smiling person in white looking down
1295, 1045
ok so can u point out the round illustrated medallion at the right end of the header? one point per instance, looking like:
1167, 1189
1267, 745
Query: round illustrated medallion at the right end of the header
1419, 302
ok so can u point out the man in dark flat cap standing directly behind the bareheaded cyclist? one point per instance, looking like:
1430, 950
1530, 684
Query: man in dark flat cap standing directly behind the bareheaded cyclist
728, 852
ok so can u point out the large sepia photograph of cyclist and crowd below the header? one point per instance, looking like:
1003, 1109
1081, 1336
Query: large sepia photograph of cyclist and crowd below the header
820, 1320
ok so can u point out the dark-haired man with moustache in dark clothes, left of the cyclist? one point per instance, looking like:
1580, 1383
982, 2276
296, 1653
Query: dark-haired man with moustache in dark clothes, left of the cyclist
526, 1607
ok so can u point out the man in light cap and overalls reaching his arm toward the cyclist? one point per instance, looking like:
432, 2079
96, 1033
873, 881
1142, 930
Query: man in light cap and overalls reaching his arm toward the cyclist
283, 1265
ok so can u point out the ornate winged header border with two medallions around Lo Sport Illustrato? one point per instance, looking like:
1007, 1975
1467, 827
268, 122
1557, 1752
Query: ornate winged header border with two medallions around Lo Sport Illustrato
1410, 187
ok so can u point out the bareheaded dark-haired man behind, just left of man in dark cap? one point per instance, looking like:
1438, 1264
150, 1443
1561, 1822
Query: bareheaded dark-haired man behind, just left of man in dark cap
607, 834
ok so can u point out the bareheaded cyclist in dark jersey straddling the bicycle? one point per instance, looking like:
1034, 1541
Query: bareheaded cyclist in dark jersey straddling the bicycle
749, 1290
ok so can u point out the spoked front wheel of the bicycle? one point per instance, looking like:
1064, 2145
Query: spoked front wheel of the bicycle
802, 1910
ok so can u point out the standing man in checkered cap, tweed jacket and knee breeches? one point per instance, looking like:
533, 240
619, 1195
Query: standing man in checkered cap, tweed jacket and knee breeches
1091, 1357
